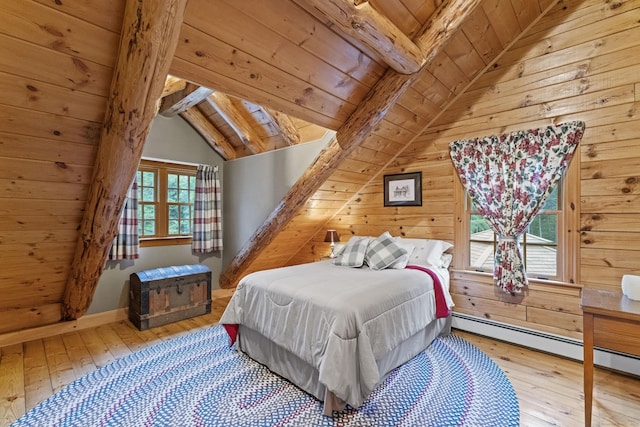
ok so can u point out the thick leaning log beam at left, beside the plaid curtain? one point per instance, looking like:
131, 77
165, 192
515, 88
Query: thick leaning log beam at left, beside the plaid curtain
148, 42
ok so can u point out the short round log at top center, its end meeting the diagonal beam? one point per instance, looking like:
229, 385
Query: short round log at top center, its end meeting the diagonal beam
375, 30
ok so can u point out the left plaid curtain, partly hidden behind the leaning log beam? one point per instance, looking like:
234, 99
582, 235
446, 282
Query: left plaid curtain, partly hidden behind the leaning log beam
127, 243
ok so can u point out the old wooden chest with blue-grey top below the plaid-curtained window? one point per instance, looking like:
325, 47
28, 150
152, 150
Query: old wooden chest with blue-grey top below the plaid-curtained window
168, 294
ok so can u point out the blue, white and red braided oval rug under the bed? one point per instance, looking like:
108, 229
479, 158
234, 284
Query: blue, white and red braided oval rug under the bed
198, 380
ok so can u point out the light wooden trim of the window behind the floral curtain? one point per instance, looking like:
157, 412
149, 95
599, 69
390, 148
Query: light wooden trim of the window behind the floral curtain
568, 224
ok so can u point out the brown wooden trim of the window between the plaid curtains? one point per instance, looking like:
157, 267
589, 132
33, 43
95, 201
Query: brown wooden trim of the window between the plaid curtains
163, 168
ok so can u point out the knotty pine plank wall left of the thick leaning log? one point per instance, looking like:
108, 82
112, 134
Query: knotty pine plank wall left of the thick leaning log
56, 63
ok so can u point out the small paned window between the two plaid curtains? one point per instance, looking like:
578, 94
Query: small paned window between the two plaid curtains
166, 193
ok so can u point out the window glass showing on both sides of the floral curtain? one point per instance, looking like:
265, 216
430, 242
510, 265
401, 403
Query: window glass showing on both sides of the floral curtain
539, 244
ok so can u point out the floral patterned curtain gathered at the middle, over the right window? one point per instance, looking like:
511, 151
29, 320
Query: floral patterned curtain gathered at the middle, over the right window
509, 177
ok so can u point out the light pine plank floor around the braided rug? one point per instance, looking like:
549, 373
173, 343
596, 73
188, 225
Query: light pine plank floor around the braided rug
549, 388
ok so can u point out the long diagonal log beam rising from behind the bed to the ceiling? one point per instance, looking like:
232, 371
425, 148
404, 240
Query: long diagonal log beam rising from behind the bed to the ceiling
380, 99
